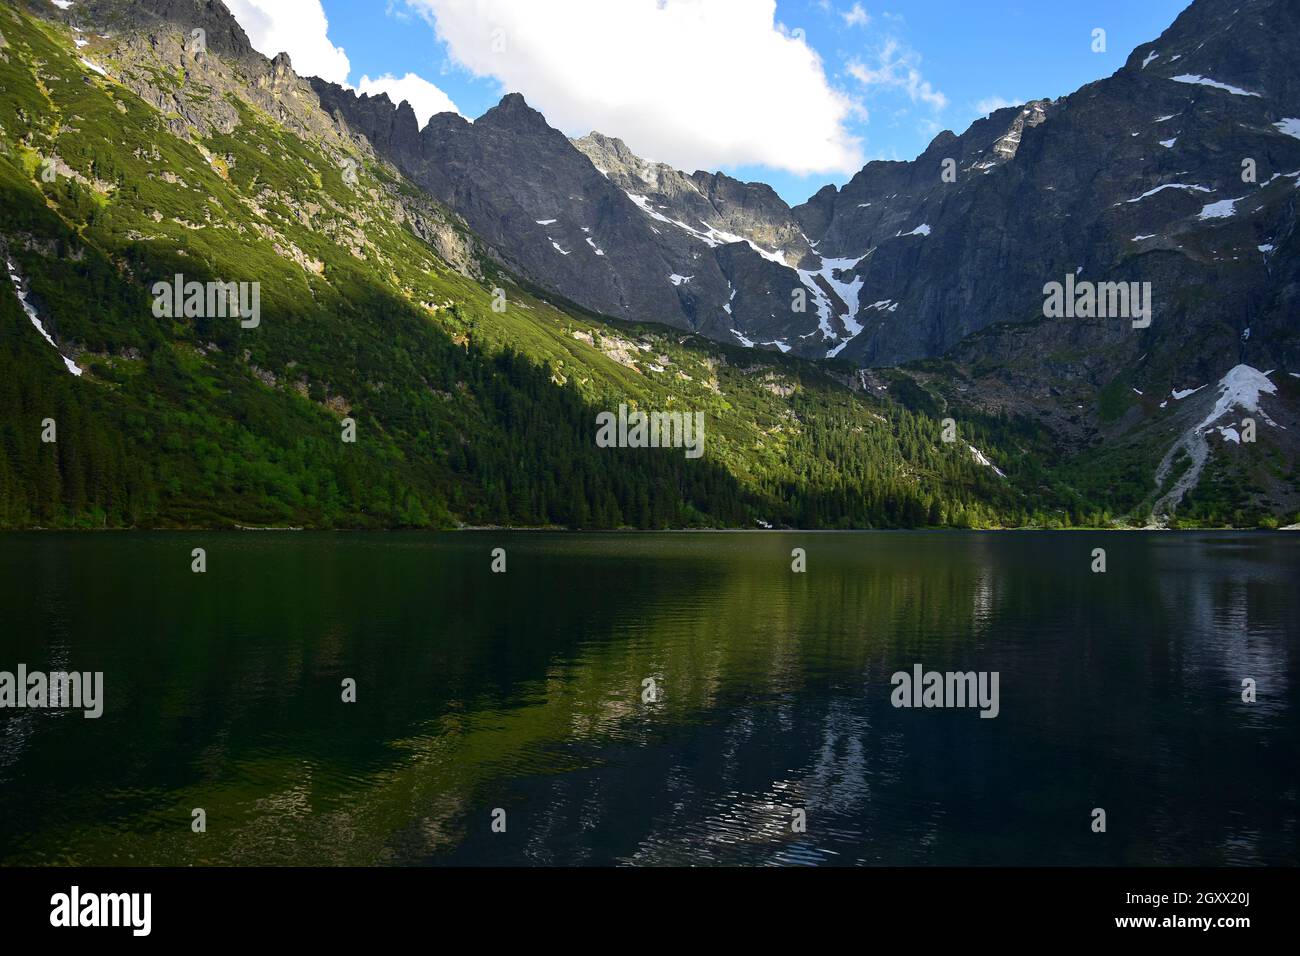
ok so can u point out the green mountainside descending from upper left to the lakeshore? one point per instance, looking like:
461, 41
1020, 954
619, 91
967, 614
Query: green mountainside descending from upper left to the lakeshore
133, 159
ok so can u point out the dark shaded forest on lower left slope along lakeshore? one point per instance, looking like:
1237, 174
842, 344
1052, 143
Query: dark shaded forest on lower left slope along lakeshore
523, 455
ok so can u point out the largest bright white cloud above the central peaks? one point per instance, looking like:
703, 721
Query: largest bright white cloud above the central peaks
697, 84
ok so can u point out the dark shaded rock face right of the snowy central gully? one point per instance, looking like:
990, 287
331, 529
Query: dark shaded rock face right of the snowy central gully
1138, 178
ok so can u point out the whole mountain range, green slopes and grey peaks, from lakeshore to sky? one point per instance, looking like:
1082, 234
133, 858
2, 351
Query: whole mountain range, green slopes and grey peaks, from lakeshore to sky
471, 296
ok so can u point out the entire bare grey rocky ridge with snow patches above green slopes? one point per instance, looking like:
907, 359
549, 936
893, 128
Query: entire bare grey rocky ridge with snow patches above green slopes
1138, 178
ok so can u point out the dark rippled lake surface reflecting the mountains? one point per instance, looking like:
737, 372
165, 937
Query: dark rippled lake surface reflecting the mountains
525, 693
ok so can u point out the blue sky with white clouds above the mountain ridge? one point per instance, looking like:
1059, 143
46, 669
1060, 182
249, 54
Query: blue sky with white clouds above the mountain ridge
798, 98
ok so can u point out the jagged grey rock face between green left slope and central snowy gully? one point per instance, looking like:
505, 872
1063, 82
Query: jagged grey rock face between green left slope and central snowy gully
599, 239
